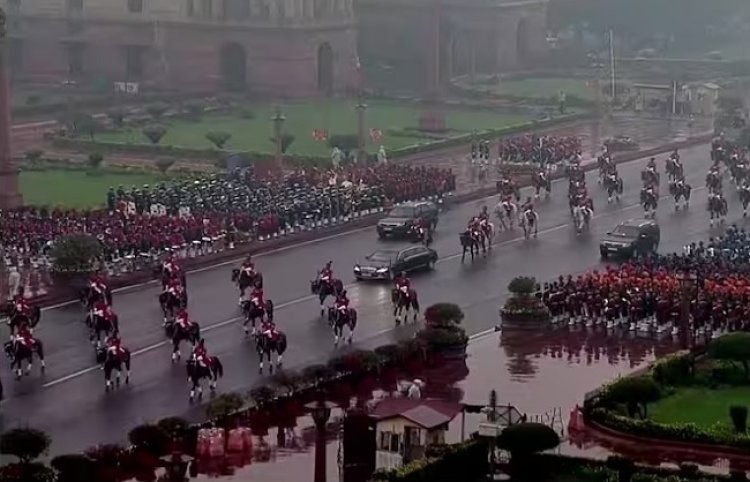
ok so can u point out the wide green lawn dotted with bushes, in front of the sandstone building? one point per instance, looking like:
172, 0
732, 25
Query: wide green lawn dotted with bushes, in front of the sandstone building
337, 116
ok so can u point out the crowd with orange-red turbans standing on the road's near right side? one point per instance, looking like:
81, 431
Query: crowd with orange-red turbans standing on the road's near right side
646, 294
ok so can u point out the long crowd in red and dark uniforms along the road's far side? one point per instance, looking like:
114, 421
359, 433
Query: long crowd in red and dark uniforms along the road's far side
153, 218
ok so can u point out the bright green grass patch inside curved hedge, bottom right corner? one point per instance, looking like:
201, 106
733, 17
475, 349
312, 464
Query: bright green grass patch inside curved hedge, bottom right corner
701, 406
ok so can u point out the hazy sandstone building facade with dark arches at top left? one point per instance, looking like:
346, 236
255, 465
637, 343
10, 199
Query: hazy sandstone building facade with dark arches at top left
270, 47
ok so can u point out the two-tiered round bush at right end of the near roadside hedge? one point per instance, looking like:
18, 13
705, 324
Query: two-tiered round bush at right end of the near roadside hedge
442, 334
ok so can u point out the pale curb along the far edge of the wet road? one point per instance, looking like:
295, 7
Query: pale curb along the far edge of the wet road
203, 262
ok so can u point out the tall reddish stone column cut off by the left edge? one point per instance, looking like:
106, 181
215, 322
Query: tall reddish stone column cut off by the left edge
10, 197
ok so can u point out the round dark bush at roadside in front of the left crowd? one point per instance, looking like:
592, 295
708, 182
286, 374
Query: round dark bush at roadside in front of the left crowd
74, 258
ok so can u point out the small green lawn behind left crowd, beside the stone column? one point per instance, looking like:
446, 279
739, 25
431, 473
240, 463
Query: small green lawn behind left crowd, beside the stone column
75, 188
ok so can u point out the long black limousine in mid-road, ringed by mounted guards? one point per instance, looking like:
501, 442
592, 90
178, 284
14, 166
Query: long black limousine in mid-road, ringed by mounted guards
388, 263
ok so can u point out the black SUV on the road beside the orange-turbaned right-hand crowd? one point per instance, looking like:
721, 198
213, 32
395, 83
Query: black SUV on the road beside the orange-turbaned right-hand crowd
632, 237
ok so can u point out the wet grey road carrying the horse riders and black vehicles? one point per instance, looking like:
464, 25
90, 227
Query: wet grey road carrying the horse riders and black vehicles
70, 403
